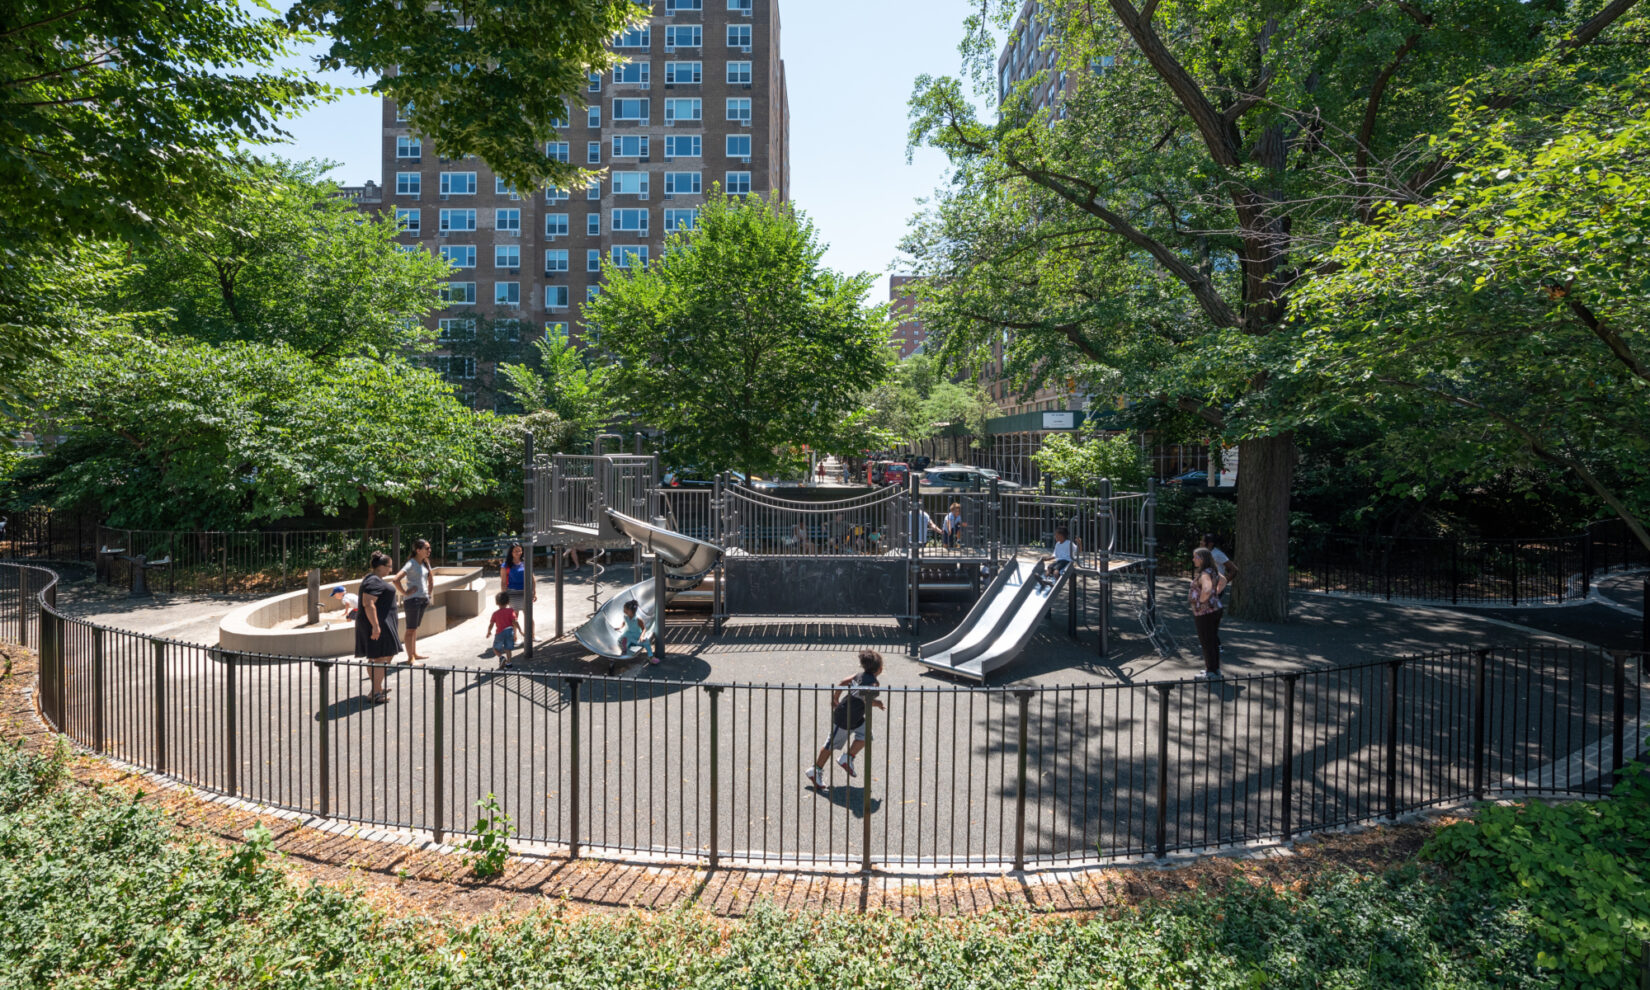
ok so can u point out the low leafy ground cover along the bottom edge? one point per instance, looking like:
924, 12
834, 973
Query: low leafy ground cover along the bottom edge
98, 890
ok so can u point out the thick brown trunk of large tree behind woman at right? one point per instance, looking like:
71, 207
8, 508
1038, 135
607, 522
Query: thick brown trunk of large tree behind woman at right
1266, 471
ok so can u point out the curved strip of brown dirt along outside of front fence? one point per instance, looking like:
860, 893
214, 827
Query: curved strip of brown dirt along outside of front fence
412, 880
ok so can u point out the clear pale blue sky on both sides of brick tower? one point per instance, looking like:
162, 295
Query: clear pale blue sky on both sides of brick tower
851, 67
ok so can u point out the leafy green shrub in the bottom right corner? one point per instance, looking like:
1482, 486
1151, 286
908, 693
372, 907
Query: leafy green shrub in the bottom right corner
1580, 869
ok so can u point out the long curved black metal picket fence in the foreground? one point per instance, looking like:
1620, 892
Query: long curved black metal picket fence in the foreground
958, 778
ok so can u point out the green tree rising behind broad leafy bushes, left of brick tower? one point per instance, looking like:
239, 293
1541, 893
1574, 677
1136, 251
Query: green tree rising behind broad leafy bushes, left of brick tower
288, 262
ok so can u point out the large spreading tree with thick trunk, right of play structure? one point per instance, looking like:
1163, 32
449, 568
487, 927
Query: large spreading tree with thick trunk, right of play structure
1159, 220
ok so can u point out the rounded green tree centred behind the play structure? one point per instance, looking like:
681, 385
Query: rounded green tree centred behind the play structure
737, 342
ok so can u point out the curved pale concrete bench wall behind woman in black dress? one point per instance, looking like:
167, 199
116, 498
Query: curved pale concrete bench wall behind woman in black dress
265, 626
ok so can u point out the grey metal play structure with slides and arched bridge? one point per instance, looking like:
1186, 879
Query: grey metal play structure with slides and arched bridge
752, 554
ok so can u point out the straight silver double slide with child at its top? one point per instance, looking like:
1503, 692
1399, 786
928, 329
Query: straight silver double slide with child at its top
999, 626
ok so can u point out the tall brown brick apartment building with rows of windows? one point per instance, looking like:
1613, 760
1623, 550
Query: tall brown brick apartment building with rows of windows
700, 103
